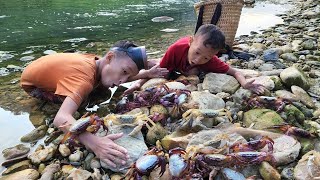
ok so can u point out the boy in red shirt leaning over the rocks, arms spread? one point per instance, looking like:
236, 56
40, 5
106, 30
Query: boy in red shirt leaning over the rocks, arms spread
190, 55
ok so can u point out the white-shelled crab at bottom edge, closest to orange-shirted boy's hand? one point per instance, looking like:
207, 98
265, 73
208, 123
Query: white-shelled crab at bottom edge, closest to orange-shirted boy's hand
145, 164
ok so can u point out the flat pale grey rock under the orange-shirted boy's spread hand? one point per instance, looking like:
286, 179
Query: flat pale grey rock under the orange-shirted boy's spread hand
135, 146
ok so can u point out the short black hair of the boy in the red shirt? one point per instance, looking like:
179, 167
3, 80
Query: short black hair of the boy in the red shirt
212, 36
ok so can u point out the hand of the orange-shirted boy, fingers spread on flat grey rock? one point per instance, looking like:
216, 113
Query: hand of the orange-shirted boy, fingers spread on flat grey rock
107, 150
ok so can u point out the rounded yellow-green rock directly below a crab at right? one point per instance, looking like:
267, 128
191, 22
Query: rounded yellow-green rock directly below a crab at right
261, 118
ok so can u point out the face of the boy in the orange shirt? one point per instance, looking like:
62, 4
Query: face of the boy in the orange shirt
118, 70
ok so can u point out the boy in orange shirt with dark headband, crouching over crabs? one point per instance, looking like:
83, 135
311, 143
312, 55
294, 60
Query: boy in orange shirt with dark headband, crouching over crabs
69, 78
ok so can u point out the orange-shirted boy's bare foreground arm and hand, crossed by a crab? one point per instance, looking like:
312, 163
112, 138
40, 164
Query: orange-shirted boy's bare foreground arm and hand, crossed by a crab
103, 147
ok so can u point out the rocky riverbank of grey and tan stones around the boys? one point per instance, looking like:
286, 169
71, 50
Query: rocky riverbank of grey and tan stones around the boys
287, 62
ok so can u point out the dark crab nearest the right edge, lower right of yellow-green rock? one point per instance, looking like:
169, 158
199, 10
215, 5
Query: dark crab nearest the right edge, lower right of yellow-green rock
291, 130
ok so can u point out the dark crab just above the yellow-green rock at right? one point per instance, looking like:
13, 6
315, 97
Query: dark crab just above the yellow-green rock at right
275, 103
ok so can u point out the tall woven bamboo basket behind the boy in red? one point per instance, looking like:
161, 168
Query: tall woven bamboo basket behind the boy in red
229, 19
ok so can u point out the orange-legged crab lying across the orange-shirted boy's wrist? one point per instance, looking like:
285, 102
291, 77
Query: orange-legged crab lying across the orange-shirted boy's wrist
90, 123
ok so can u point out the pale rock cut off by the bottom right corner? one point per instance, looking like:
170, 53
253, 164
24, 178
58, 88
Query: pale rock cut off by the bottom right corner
308, 167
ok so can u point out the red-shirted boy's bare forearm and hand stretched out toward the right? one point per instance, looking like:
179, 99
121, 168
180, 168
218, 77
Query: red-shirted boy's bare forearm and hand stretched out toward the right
256, 88
